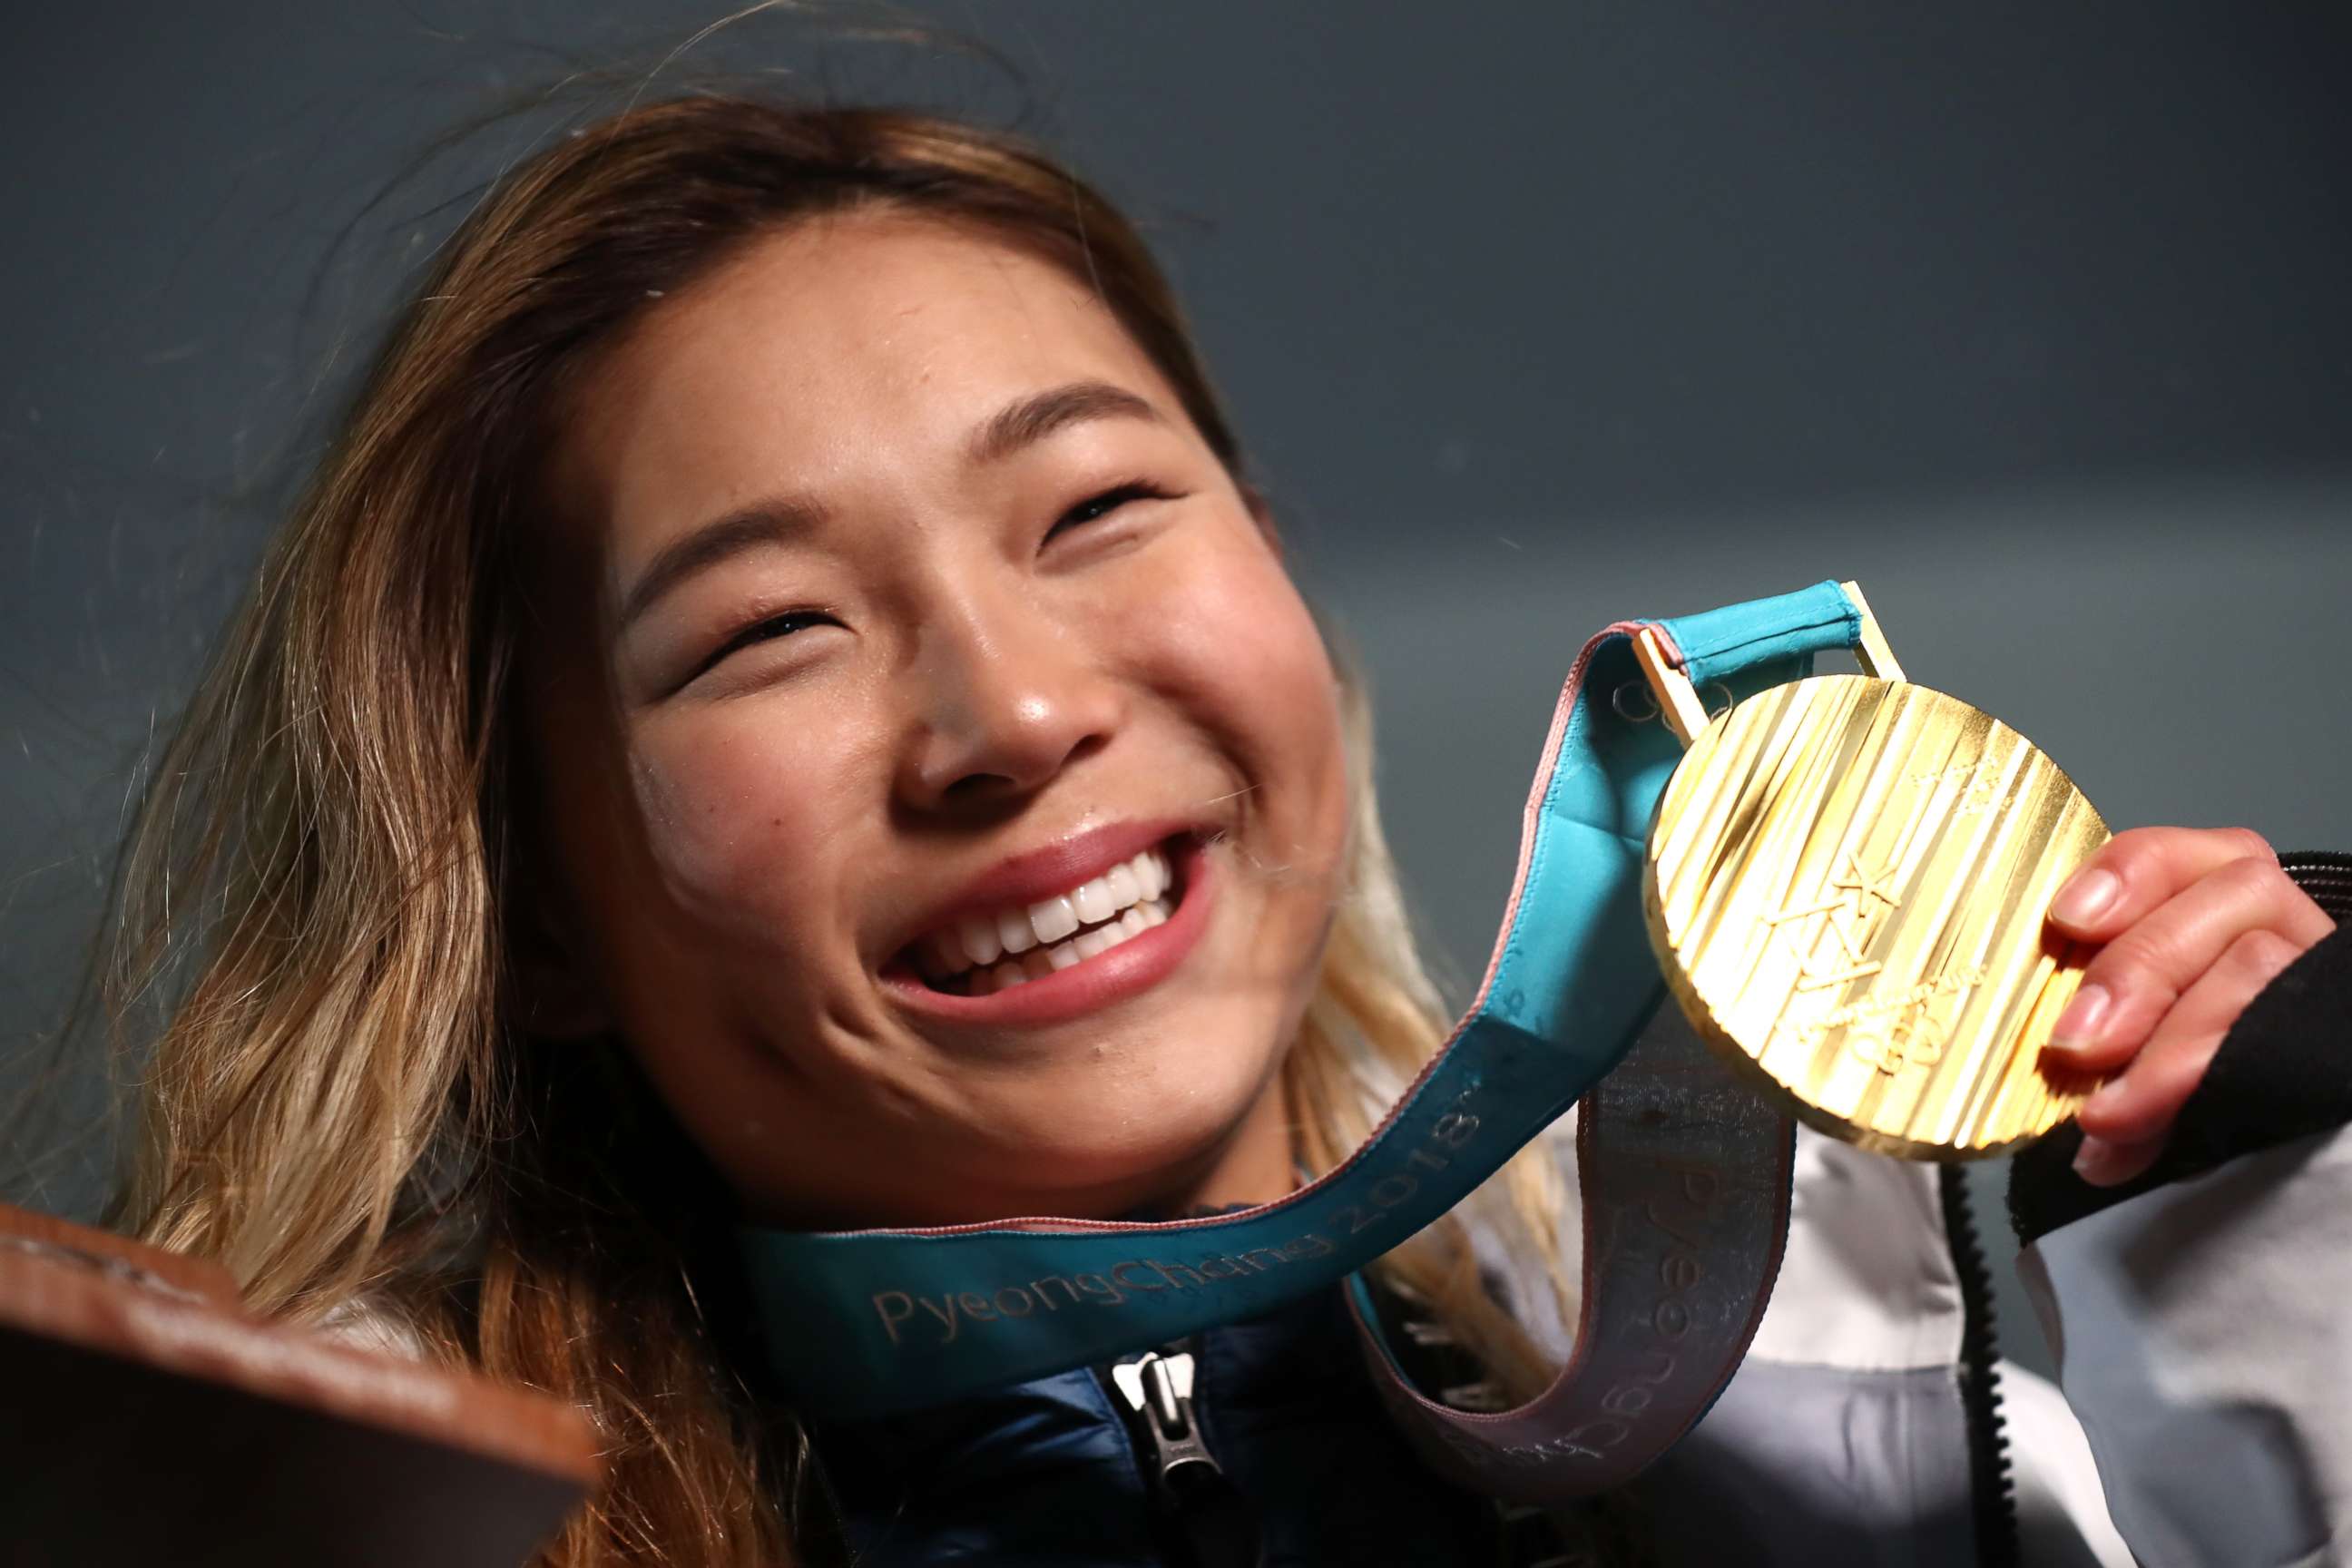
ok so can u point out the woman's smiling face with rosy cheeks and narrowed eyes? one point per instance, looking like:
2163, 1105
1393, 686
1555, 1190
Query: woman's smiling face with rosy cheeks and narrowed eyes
944, 777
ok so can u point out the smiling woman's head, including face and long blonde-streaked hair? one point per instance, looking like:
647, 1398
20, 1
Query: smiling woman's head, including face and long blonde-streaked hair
782, 706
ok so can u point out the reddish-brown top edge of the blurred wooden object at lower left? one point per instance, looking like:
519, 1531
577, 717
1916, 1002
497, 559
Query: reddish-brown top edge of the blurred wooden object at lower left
196, 1339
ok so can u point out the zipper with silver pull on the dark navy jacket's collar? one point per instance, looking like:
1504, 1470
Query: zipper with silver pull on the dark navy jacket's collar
1210, 1520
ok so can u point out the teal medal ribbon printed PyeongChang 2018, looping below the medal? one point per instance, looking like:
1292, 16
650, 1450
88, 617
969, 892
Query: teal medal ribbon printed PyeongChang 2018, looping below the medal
1683, 1172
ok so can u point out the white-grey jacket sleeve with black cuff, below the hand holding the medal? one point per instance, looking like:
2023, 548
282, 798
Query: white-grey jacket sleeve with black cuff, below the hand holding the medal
2200, 1315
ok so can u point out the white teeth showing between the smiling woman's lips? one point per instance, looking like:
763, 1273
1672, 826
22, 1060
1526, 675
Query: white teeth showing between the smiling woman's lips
1020, 944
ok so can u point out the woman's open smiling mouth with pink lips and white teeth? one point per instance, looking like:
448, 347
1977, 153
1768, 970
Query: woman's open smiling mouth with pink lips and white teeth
1107, 937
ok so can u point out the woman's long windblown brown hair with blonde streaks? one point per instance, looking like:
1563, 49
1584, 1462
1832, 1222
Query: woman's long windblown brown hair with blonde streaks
335, 1097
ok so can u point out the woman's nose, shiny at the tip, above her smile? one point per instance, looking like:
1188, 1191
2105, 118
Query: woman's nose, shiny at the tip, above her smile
1003, 709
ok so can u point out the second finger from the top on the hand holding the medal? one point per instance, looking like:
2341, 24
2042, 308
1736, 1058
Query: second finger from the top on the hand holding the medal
2137, 979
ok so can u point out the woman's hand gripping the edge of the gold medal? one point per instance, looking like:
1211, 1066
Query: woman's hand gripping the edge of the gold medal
2191, 925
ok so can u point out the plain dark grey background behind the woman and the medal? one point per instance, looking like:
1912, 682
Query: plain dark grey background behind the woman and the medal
2026, 316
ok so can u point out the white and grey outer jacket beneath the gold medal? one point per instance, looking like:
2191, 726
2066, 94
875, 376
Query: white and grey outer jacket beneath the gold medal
2205, 1341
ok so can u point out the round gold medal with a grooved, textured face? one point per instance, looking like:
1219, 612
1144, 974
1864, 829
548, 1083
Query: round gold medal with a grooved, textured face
1847, 890
